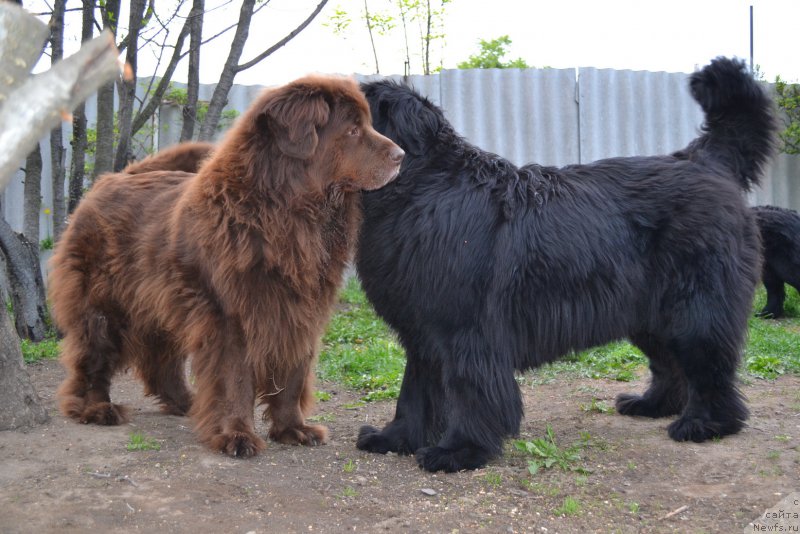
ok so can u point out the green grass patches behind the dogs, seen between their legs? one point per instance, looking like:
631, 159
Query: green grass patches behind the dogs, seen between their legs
362, 353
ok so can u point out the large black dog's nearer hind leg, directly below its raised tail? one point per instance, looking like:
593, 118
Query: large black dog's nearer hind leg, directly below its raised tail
715, 406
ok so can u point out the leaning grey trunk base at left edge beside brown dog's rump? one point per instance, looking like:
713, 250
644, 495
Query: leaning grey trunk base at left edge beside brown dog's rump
25, 283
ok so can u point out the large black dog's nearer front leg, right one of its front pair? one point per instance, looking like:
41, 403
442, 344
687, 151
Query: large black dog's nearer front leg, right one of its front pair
483, 406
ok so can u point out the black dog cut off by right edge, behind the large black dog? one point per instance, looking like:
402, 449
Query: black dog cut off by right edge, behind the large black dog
780, 238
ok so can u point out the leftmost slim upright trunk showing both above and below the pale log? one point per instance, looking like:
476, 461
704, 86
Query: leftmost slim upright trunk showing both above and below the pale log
57, 152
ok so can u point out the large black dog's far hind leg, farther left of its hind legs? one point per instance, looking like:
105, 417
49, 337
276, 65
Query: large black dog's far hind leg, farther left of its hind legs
666, 394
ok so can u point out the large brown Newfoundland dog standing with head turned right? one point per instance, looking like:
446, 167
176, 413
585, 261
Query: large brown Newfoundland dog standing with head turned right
236, 266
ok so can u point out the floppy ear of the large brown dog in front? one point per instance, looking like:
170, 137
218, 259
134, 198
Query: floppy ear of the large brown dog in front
293, 115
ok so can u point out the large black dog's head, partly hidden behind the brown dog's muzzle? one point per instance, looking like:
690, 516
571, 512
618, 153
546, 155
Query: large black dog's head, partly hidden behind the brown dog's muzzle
404, 116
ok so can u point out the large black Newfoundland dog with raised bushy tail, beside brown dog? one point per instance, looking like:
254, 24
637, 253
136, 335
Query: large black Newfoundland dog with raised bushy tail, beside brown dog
484, 268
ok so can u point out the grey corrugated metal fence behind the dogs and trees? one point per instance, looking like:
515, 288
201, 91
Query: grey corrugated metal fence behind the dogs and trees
548, 116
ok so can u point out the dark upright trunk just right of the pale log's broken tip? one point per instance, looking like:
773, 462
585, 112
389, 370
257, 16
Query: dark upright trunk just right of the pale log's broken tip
128, 93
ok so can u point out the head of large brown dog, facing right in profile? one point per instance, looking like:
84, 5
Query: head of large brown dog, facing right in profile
322, 126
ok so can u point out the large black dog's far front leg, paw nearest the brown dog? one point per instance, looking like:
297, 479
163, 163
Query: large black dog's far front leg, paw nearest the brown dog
417, 414
